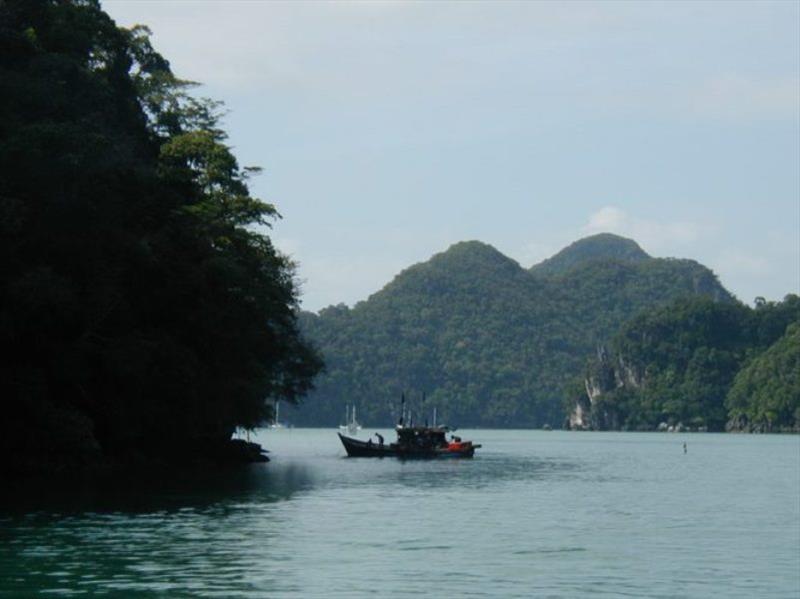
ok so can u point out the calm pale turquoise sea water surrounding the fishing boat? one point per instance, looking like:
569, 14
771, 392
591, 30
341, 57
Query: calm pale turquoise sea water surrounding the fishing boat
535, 514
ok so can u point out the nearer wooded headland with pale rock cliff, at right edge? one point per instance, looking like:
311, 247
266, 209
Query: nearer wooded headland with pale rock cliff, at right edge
701, 364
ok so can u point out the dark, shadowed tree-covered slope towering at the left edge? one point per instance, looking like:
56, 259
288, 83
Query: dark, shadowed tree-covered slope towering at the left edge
137, 299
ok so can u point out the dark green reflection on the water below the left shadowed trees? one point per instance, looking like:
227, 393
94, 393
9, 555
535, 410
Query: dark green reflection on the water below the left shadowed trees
156, 533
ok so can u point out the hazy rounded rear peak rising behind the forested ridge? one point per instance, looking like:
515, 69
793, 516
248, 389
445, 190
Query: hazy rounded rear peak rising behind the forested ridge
603, 246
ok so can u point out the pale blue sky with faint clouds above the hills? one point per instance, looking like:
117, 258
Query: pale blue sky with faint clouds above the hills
390, 130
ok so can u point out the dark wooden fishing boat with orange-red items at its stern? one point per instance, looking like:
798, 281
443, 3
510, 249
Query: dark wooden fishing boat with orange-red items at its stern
412, 442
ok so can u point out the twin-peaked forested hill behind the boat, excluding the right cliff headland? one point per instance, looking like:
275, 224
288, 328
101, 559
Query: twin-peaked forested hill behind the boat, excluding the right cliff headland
489, 342
